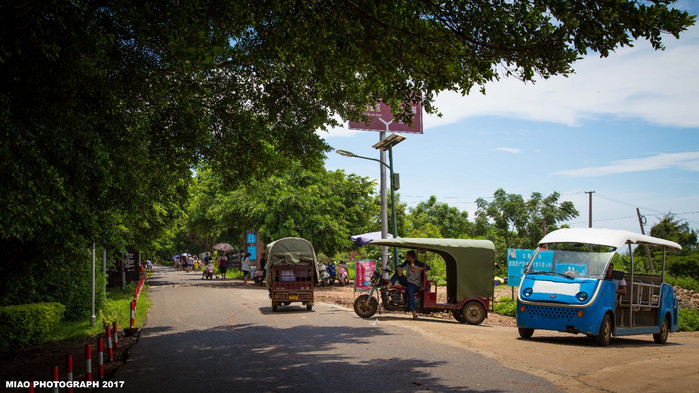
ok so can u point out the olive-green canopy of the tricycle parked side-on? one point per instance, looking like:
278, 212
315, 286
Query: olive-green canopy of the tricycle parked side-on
470, 263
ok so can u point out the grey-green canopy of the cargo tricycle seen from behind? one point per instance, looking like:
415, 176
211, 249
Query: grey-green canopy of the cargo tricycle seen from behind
291, 251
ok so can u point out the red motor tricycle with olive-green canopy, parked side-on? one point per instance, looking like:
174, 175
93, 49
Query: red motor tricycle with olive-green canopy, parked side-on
469, 267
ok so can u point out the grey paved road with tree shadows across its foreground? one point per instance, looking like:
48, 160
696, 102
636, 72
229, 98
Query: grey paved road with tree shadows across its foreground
222, 336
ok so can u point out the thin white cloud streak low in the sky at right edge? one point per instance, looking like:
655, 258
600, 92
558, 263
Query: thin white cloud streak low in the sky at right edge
686, 161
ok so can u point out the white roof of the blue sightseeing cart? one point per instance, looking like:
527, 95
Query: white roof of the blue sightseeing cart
605, 237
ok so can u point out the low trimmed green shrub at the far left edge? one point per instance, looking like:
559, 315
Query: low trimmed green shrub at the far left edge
28, 323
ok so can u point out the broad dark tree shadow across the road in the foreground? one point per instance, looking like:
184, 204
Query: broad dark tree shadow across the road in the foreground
248, 357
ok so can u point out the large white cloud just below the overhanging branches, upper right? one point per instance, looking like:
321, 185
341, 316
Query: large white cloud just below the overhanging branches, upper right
656, 86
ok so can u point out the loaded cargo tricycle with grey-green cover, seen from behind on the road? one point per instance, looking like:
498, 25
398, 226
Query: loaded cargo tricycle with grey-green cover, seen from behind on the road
292, 272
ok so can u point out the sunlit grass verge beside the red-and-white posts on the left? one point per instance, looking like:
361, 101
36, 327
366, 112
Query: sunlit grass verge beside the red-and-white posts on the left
117, 308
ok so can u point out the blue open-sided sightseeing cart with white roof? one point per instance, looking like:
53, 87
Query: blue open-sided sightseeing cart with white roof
565, 287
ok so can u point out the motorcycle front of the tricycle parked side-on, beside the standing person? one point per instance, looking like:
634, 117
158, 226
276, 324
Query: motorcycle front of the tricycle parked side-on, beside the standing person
394, 299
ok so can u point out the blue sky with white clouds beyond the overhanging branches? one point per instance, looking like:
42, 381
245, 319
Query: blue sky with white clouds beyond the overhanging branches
626, 127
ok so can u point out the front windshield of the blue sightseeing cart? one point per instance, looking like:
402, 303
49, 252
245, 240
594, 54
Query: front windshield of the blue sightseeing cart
571, 260
